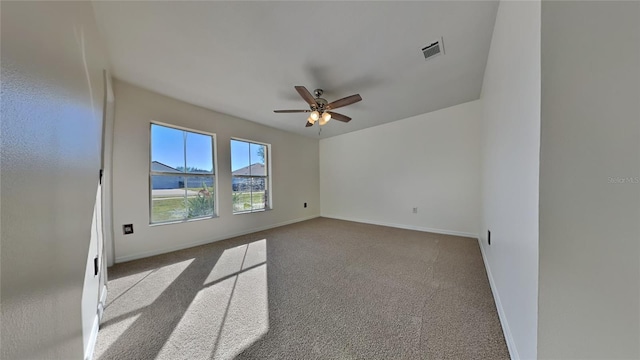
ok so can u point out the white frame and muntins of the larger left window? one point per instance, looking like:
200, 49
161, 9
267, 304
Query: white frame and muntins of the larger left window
214, 175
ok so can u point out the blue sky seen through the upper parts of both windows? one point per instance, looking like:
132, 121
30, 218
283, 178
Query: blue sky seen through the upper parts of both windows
167, 147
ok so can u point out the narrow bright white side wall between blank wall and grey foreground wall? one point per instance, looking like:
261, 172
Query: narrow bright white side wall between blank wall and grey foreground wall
510, 171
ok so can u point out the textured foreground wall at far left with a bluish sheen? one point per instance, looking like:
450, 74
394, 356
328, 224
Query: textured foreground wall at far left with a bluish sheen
52, 91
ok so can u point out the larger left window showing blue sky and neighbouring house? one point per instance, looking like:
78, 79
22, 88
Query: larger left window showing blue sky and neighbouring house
182, 175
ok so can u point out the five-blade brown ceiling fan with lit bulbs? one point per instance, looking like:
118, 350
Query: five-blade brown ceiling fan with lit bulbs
320, 109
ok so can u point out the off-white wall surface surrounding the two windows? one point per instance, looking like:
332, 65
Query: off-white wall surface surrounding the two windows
294, 174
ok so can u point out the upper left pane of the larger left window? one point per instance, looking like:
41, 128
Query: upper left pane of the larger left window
167, 149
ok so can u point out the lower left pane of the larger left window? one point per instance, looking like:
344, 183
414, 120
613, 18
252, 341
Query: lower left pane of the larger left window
167, 198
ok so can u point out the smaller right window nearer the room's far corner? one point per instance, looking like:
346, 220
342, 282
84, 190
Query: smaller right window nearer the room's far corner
249, 176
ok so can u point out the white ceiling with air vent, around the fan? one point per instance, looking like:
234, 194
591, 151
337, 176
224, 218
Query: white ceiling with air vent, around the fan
244, 58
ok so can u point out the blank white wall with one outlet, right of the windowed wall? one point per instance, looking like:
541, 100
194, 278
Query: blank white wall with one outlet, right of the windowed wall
430, 161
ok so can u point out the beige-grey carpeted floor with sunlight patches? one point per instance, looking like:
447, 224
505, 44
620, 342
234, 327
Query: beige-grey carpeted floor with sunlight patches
319, 289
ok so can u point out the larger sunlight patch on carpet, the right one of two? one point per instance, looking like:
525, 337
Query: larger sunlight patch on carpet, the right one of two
230, 312
